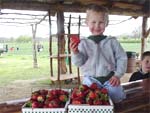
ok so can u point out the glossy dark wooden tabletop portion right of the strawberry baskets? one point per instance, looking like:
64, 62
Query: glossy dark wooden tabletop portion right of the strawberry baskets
138, 98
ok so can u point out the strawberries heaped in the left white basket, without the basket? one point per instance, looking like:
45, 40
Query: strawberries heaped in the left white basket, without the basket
56, 98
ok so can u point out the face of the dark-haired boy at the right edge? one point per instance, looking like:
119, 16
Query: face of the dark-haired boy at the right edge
146, 64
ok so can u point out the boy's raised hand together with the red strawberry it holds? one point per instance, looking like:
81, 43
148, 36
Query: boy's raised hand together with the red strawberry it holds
74, 41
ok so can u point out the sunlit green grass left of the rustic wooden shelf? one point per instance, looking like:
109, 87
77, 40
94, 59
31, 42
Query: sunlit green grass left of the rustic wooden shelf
20, 67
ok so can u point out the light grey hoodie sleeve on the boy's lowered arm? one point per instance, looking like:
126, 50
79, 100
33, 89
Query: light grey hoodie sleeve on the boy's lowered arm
120, 59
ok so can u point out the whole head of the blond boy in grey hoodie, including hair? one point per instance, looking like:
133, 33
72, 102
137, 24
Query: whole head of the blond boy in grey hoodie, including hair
96, 19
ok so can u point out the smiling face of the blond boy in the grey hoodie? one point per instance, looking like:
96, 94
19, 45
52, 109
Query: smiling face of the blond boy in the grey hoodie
96, 23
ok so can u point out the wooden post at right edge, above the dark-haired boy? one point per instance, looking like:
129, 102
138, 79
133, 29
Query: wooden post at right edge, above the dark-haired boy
144, 28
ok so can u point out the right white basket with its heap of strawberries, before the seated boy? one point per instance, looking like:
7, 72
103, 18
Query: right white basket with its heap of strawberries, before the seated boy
90, 99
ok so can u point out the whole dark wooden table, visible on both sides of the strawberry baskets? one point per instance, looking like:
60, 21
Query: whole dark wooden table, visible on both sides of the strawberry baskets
137, 101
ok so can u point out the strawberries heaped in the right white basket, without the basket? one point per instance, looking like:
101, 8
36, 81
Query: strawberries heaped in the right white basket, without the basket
92, 95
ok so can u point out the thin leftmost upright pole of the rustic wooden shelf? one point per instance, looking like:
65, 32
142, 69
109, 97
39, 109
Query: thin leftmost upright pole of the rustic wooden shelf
50, 44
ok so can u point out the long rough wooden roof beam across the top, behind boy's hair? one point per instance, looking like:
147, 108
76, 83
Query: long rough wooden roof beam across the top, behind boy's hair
128, 9
